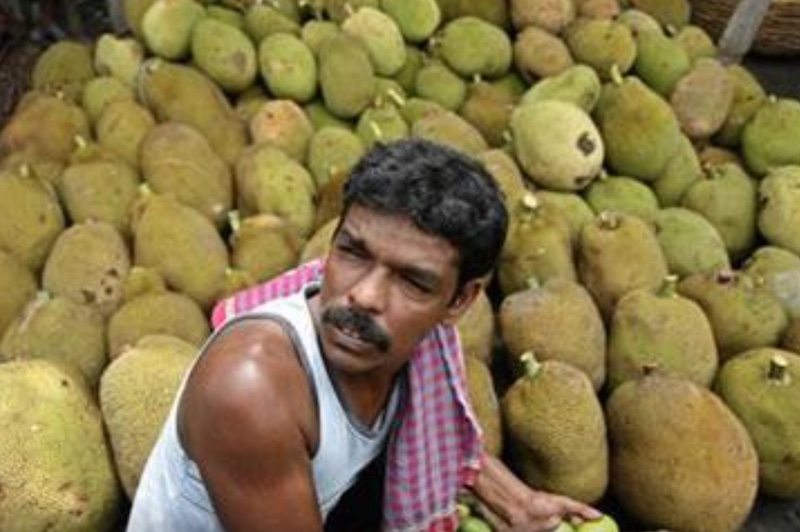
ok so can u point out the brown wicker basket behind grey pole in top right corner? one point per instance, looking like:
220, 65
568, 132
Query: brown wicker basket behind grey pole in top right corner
779, 33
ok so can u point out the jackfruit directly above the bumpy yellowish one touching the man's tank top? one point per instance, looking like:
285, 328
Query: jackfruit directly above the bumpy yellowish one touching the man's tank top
157, 312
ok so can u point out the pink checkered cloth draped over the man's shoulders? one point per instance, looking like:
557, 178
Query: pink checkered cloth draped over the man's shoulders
436, 448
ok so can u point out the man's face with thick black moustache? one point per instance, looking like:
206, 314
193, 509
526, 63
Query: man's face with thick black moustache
386, 285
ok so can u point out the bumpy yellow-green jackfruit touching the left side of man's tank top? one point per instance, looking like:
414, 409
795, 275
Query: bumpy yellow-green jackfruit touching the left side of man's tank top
136, 393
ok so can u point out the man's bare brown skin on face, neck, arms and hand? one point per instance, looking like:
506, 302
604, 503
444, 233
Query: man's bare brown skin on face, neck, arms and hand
255, 459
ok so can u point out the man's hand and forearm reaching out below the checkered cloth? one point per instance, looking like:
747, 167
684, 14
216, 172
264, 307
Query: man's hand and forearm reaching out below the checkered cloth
510, 505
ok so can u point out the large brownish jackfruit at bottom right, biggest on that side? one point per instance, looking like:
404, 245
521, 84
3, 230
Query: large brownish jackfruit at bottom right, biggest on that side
680, 459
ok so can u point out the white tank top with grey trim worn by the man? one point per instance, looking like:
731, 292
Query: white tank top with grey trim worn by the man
171, 494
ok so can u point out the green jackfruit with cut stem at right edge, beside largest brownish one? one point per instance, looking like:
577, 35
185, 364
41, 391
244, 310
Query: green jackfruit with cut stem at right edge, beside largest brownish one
762, 400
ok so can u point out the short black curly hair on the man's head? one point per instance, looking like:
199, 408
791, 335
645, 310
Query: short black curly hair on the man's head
444, 192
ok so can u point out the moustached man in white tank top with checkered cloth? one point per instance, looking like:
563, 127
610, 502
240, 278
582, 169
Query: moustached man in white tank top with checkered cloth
288, 403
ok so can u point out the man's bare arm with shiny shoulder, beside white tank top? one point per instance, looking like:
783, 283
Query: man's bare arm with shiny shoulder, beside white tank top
245, 419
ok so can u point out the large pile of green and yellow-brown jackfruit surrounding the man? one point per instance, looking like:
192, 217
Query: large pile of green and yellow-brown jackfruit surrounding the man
640, 340
